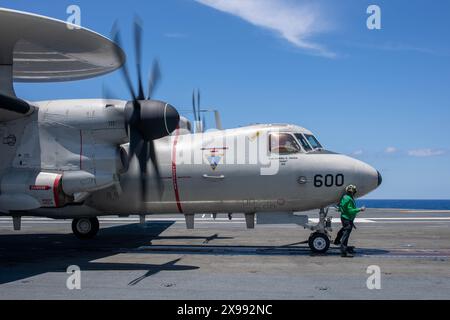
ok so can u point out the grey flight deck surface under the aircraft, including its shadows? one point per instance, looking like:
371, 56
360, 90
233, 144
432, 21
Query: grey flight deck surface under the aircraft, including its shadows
220, 259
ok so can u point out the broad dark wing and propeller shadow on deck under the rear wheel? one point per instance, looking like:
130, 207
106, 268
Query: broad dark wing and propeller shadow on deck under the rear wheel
26, 255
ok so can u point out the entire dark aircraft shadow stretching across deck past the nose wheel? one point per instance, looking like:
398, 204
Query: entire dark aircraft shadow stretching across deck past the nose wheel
26, 255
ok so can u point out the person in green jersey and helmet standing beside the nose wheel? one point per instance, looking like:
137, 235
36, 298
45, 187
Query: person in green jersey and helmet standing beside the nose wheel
349, 211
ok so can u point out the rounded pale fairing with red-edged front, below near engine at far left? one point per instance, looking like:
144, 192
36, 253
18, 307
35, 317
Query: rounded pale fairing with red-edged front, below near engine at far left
28, 190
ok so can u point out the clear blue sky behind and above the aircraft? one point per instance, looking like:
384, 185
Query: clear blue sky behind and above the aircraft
382, 96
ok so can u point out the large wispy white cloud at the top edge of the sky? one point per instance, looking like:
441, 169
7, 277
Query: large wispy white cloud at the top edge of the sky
293, 21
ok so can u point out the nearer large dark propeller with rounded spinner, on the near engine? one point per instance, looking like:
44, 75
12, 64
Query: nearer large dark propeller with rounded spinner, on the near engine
146, 120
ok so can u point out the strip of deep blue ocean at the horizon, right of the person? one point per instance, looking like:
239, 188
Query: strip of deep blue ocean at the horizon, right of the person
406, 204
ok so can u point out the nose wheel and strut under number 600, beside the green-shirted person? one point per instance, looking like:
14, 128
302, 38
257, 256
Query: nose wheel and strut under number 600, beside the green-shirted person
319, 241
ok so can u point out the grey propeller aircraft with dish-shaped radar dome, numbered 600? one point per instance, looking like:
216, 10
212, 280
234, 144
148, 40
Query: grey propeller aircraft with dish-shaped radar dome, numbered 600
81, 159
